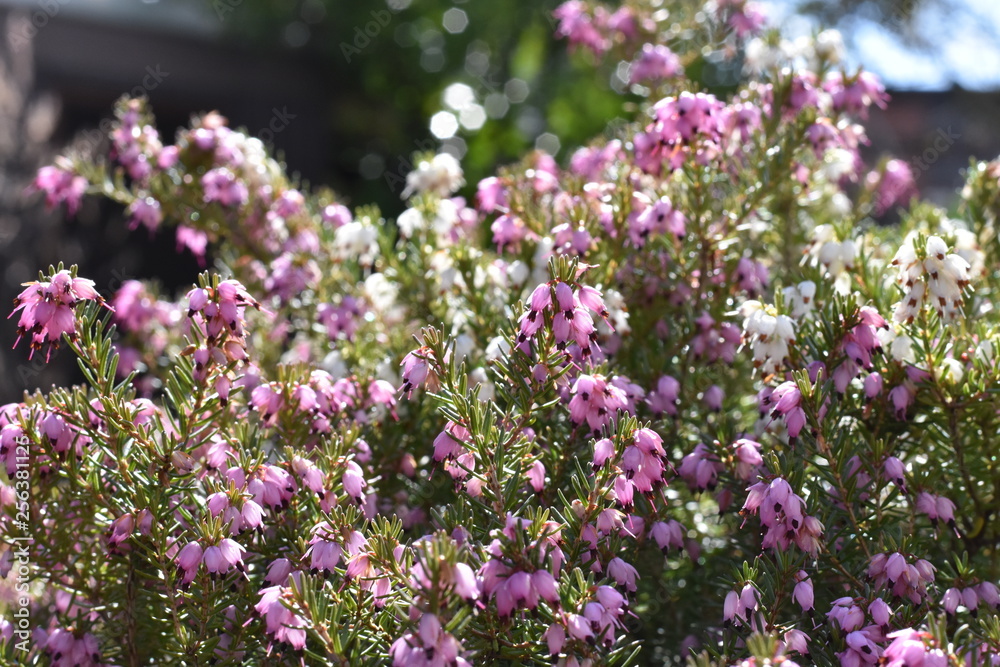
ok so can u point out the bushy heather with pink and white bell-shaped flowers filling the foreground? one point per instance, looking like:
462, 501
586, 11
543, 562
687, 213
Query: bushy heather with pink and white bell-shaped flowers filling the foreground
681, 398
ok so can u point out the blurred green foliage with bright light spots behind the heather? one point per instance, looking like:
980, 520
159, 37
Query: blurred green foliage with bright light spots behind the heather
388, 65
